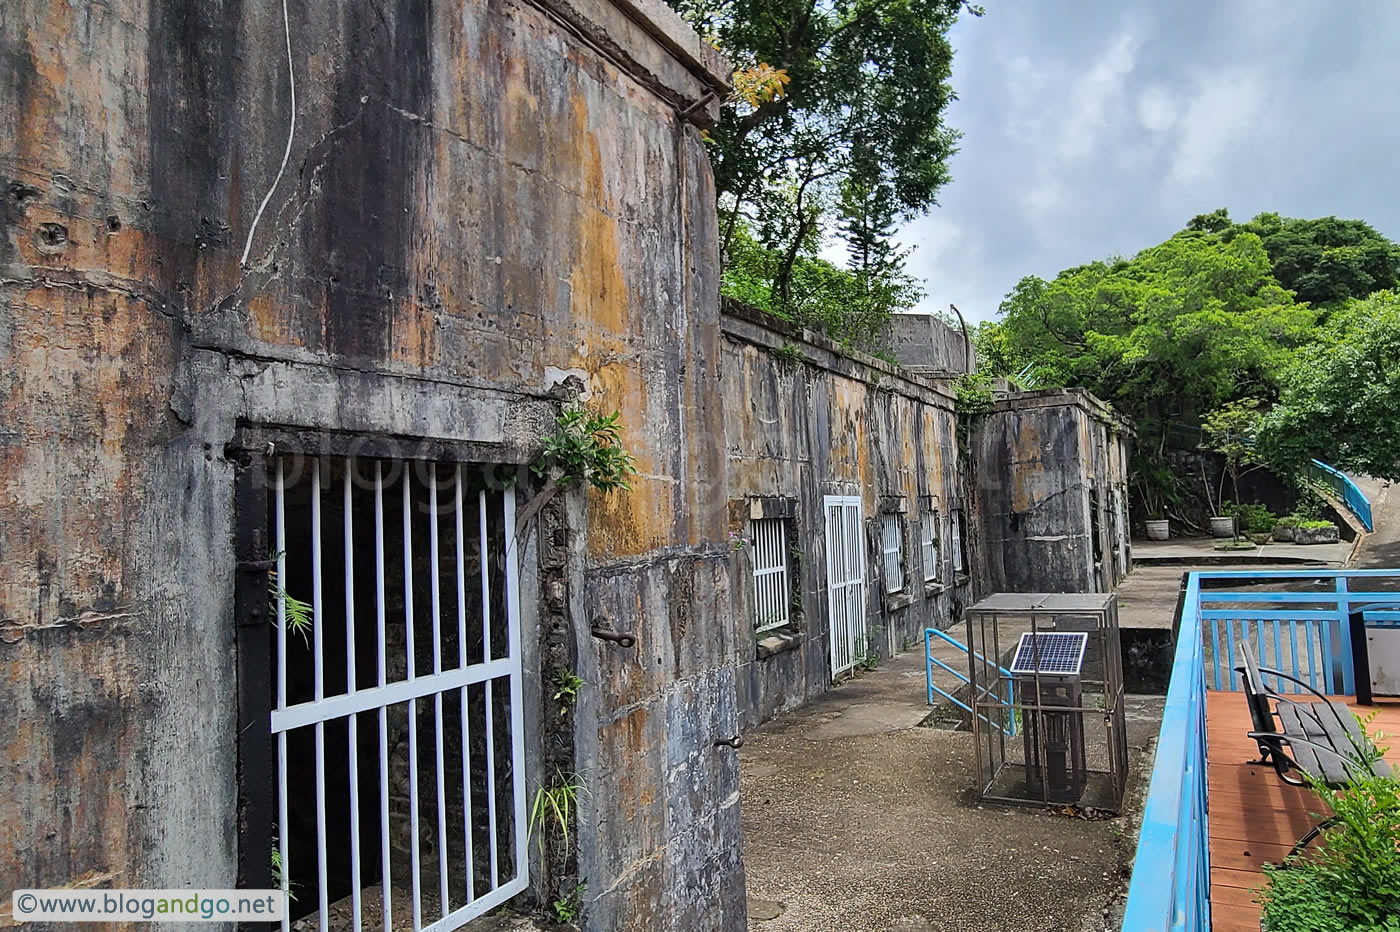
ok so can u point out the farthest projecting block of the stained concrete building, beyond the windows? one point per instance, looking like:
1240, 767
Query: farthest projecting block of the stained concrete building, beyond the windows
1045, 463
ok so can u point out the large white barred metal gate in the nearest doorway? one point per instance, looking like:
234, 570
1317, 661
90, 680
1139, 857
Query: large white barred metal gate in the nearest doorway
475, 684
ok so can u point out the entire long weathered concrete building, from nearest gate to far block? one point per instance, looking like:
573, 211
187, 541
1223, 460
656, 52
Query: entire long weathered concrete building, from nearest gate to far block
276, 574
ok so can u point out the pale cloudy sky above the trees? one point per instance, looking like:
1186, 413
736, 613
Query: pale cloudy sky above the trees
1100, 128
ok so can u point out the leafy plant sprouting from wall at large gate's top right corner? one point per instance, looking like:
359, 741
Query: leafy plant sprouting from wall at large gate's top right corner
584, 450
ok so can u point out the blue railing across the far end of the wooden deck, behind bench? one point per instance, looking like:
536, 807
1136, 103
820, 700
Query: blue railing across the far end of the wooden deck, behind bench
1303, 633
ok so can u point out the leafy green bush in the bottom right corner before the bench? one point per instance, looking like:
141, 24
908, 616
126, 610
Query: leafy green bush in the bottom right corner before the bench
1349, 881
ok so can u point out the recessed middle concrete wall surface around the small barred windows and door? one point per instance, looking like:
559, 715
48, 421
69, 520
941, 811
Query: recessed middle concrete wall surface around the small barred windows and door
804, 421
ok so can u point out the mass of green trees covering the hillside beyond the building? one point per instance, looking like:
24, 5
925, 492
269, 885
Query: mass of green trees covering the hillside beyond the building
1283, 316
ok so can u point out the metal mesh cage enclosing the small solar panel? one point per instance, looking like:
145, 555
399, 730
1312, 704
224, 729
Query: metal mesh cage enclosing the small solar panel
1003, 700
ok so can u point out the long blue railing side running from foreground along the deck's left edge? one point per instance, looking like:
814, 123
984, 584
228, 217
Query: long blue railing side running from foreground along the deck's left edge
1174, 888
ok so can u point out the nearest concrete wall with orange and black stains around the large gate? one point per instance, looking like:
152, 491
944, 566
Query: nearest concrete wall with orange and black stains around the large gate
481, 201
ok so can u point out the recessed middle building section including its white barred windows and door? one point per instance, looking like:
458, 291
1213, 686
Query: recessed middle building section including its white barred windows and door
843, 474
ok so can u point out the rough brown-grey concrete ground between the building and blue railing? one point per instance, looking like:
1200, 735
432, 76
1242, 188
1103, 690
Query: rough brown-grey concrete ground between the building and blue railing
859, 821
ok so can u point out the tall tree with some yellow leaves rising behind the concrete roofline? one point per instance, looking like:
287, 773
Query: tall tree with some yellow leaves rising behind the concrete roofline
835, 129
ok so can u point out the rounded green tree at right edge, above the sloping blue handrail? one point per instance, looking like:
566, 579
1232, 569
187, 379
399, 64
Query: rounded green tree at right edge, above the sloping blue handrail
1340, 395
